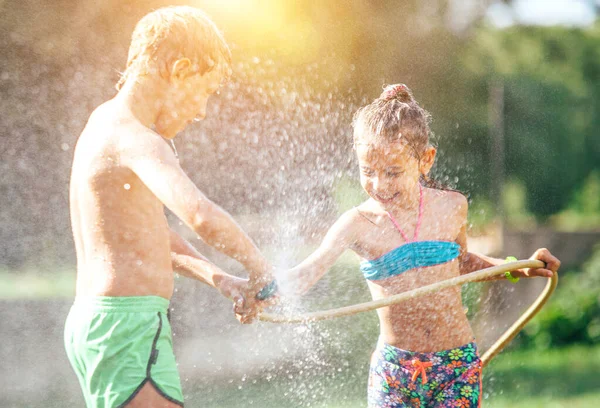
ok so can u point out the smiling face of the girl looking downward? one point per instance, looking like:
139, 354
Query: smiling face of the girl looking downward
388, 171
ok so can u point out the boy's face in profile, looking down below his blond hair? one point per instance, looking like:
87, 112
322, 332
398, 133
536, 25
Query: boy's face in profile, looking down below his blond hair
186, 101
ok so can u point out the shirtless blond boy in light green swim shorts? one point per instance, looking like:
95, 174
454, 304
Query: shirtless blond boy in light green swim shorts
117, 336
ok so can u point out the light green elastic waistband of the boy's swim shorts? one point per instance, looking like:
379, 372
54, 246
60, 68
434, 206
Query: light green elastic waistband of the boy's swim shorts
122, 304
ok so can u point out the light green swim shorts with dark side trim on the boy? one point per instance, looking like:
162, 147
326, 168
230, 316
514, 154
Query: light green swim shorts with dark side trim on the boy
119, 344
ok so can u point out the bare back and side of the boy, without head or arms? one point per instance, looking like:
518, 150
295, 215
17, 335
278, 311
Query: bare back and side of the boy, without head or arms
121, 233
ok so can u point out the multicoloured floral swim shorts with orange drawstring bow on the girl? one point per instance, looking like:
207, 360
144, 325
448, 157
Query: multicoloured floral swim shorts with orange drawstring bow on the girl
401, 378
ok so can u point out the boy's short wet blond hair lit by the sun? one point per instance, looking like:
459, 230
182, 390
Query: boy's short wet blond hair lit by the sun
170, 33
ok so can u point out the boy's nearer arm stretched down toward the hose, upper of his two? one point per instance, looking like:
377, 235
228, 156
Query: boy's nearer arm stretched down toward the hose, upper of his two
151, 159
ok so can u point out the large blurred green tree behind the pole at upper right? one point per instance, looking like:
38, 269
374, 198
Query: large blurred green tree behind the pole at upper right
551, 80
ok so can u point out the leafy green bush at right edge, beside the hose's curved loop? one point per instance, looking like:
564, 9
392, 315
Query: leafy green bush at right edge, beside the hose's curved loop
573, 314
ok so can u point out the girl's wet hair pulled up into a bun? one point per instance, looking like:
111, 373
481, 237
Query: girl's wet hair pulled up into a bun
394, 117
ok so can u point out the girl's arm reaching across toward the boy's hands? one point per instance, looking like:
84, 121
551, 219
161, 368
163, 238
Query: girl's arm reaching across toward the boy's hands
301, 278
